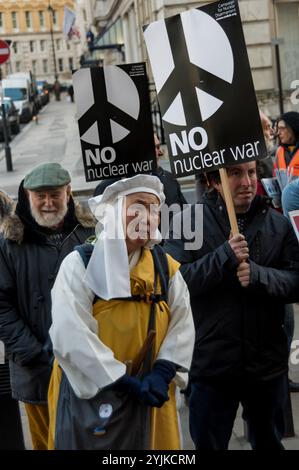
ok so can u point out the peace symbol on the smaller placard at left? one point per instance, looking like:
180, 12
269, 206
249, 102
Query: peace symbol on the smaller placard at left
122, 100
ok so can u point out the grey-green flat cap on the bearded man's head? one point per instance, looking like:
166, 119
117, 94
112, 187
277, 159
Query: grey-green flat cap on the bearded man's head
47, 175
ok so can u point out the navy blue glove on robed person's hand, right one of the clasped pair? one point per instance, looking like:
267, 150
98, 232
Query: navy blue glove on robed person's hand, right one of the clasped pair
154, 387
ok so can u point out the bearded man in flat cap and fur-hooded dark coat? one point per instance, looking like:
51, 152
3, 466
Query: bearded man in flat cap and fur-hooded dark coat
36, 237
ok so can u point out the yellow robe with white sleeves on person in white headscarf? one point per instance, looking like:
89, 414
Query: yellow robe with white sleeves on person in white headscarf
92, 342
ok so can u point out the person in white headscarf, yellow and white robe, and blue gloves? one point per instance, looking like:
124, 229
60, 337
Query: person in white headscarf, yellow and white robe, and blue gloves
96, 332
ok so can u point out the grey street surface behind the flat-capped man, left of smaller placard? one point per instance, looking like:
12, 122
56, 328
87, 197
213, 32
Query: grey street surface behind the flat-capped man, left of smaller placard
55, 138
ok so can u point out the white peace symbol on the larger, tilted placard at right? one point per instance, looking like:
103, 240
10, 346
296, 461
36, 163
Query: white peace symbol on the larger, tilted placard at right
196, 77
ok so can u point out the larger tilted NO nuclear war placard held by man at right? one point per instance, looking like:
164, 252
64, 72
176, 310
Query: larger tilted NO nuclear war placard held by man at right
205, 89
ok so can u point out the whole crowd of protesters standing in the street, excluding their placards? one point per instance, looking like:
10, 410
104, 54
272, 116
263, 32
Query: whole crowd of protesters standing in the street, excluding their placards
102, 326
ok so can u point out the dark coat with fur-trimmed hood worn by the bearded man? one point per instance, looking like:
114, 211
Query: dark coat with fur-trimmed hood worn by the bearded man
29, 263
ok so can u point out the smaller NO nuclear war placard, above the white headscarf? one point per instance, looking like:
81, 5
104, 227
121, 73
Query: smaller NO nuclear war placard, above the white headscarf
114, 119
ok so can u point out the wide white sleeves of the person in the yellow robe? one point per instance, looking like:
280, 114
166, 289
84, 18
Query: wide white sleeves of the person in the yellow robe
90, 365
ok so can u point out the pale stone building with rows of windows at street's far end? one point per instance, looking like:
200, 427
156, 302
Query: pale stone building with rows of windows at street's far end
27, 23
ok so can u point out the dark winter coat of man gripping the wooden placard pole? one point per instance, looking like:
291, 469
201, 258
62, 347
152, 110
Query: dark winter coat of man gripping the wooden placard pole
240, 331
